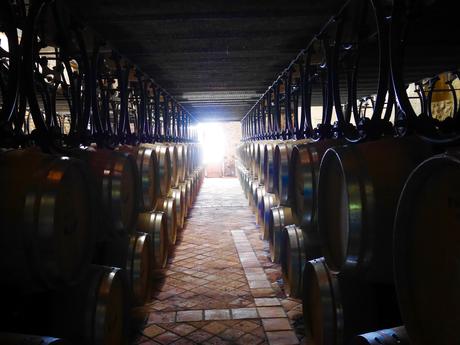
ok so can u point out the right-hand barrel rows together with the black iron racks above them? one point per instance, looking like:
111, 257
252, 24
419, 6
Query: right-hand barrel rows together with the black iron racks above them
350, 163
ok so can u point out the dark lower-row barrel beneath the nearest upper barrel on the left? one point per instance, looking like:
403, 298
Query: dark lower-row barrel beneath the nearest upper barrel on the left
93, 312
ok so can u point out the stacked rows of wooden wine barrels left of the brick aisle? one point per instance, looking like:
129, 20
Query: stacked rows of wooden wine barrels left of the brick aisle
84, 235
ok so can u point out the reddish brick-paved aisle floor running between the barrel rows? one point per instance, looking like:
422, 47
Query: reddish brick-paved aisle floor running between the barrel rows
220, 286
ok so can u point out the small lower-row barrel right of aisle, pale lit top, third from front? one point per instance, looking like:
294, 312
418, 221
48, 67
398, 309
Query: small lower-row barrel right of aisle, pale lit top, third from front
280, 216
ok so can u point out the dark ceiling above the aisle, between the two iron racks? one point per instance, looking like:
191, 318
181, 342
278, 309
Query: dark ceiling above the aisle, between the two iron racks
215, 57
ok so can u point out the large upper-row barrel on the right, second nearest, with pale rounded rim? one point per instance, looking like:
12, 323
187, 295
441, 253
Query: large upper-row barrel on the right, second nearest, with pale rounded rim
358, 194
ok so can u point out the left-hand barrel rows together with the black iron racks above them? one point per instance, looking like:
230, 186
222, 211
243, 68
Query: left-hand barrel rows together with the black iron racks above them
98, 166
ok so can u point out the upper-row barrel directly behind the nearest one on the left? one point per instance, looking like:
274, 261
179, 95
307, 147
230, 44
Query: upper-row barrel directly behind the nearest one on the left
115, 177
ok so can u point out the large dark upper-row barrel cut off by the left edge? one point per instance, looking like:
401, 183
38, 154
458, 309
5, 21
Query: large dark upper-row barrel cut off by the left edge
46, 220
